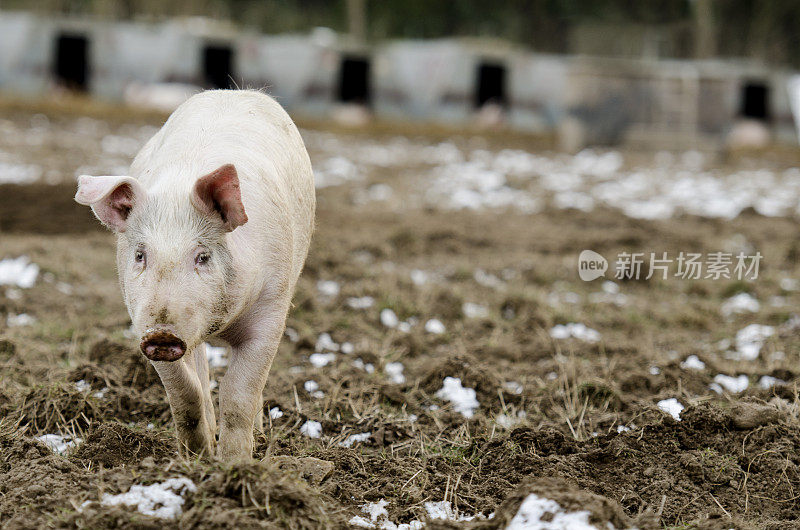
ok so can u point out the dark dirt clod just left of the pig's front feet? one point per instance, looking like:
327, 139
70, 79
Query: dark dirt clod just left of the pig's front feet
114, 444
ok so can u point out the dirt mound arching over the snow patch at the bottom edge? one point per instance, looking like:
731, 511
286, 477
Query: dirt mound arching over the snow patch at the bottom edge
570, 498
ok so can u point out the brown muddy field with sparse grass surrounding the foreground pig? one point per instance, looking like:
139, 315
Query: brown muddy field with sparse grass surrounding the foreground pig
571, 420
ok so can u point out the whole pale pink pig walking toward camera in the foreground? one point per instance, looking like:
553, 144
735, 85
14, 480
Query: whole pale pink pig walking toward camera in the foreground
213, 226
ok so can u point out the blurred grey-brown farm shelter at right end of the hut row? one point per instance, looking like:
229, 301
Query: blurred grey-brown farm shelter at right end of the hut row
674, 103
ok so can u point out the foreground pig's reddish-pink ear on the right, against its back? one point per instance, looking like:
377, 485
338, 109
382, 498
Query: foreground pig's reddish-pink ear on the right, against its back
218, 194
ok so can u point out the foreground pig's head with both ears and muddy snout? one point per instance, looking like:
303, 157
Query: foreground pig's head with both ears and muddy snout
174, 265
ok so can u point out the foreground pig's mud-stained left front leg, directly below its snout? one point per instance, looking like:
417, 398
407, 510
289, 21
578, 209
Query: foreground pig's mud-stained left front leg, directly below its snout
187, 401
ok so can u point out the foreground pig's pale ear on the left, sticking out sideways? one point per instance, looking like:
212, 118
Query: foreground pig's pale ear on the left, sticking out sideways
111, 198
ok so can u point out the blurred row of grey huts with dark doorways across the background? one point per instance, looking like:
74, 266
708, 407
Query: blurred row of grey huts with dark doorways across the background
441, 80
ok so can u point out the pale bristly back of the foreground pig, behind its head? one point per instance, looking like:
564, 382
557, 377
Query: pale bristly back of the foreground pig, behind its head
250, 130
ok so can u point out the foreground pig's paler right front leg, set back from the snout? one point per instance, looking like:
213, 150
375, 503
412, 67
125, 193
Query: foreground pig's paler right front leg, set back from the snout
240, 400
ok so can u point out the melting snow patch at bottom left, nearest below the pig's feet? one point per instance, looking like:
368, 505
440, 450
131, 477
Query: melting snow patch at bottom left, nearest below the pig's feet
163, 500
